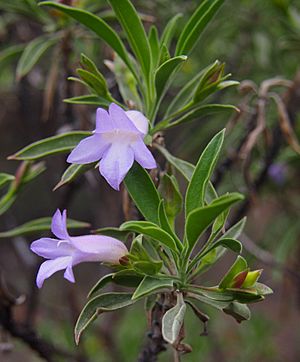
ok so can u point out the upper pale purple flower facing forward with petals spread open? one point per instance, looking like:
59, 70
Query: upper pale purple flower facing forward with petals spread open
117, 141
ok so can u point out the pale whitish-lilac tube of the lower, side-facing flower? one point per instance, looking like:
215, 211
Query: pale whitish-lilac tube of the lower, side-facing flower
98, 248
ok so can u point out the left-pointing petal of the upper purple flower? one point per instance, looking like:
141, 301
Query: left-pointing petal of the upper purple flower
89, 150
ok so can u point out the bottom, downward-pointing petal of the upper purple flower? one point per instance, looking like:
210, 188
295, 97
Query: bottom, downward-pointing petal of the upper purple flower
115, 164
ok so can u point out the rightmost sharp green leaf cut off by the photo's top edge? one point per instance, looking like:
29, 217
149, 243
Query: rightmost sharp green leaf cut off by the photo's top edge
195, 26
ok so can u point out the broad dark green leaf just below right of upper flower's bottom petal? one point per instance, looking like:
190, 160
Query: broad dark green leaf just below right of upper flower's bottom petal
143, 192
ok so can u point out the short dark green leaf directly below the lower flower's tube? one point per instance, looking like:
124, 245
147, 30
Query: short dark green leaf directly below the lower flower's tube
127, 278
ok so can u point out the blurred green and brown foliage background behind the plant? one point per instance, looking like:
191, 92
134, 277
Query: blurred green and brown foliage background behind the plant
258, 40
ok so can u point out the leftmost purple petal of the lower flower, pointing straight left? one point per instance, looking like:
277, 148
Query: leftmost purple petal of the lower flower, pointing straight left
51, 248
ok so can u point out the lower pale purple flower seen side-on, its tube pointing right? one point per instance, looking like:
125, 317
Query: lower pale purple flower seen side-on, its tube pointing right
67, 251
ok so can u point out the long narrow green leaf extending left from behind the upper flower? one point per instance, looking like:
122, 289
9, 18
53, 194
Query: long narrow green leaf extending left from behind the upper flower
61, 143
